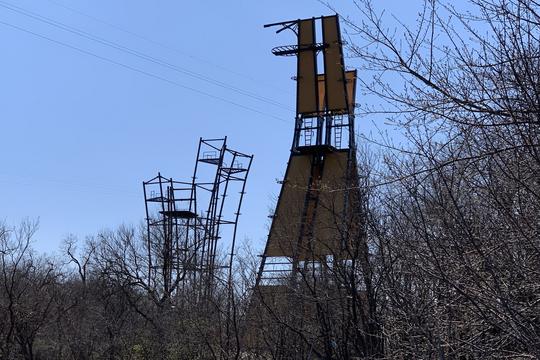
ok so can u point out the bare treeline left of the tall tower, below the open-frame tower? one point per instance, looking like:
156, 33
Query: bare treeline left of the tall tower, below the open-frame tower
95, 303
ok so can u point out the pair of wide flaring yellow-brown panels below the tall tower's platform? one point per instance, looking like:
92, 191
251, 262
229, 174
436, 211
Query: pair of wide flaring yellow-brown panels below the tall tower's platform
284, 238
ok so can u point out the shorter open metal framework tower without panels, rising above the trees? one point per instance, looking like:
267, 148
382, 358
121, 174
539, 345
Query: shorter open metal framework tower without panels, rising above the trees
188, 222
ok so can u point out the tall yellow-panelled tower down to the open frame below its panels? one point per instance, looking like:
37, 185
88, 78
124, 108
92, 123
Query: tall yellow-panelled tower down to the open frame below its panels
308, 226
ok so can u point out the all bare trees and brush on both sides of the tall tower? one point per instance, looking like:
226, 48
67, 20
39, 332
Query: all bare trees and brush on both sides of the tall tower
449, 263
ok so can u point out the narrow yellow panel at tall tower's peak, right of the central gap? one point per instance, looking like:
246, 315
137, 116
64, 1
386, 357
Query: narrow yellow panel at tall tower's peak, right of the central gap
333, 65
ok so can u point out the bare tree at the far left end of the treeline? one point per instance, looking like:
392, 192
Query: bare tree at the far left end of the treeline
29, 289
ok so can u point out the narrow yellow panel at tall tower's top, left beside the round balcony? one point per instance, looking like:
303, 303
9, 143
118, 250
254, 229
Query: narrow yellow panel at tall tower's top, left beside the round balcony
307, 68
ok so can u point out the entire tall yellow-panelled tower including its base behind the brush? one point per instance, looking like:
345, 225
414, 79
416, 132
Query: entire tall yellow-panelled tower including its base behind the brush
316, 223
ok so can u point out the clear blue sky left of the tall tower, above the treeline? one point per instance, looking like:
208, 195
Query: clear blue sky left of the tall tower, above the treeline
80, 132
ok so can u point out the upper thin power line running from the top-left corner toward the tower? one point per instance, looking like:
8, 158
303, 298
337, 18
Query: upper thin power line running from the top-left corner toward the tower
138, 54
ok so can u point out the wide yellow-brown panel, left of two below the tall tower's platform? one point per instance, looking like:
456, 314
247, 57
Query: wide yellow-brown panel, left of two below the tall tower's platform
285, 228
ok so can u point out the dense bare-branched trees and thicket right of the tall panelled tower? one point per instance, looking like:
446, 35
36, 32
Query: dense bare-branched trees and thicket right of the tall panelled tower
458, 223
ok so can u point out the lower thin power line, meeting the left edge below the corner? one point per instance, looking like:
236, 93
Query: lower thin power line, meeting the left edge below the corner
144, 72
